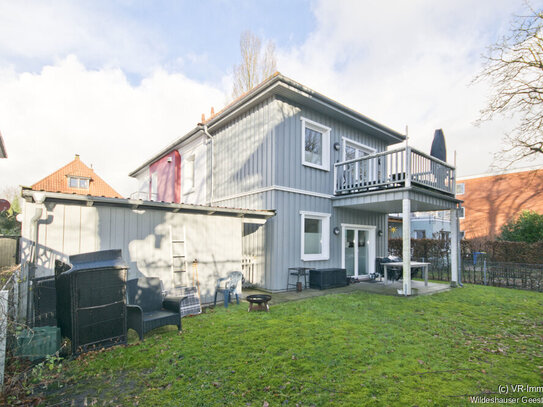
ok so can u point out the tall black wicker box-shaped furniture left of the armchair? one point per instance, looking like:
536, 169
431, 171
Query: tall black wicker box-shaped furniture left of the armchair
91, 300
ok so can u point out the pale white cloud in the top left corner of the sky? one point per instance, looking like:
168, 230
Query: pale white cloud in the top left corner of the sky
42, 31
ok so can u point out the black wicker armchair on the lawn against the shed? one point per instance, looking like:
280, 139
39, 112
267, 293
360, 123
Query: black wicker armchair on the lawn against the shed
148, 309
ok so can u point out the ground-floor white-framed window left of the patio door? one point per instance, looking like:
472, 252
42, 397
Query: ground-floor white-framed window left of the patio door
315, 236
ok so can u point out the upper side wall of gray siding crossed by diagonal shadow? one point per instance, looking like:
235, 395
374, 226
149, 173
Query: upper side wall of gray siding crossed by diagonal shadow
243, 151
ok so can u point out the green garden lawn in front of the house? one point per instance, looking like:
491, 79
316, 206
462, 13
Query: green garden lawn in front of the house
345, 349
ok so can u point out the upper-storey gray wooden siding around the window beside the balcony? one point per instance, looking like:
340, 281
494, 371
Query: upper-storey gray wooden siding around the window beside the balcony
289, 170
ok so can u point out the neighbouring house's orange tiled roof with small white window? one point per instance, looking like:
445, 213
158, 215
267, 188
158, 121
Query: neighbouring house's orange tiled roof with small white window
76, 178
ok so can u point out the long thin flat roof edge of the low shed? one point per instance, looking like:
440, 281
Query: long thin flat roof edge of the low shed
139, 204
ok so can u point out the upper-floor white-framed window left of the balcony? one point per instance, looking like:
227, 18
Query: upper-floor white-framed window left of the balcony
315, 145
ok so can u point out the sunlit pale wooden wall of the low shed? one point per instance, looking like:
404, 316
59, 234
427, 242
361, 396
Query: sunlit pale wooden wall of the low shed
143, 237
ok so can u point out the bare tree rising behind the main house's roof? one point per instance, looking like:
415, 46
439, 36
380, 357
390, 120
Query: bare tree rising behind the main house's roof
253, 68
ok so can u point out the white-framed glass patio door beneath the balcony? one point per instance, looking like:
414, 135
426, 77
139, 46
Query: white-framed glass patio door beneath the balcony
358, 247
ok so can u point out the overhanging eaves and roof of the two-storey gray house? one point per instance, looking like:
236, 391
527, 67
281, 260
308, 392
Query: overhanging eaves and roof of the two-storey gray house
278, 84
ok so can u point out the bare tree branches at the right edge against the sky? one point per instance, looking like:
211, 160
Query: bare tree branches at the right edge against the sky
514, 68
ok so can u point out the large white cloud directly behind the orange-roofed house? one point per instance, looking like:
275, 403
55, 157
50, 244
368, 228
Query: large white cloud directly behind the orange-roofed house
65, 109
